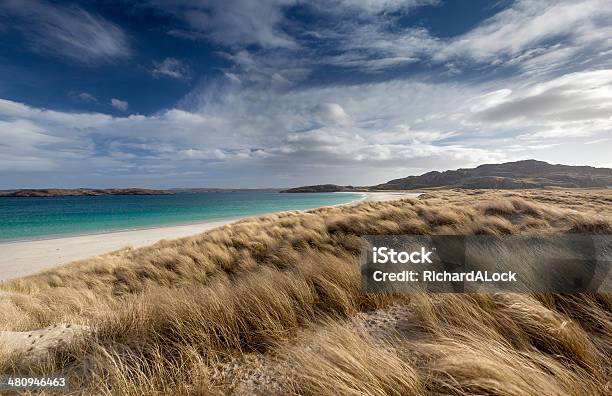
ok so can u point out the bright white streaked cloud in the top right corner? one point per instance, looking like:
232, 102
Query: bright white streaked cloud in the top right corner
536, 35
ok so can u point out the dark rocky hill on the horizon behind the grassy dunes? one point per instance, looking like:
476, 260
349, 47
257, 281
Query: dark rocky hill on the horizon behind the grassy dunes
509, 175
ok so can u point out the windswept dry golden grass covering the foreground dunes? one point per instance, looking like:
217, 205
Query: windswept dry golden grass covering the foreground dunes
285, 290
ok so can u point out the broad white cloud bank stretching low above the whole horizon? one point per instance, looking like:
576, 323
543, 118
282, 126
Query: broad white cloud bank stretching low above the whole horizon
362, 134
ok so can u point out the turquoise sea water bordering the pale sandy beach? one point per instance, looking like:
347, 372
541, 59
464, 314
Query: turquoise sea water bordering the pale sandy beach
35, 218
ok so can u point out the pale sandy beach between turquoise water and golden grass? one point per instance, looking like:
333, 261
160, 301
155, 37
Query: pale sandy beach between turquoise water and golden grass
28, 257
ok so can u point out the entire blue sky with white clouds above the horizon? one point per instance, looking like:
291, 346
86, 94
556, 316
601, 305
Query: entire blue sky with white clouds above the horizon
281, 93
